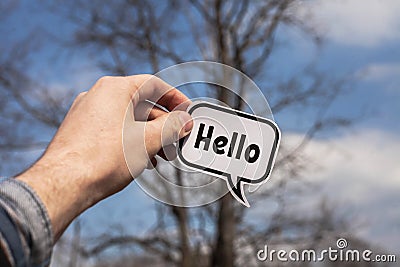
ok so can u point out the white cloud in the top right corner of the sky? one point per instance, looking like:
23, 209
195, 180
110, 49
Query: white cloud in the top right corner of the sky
355, 22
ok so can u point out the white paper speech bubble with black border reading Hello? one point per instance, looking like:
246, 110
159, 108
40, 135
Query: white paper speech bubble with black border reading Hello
233, 145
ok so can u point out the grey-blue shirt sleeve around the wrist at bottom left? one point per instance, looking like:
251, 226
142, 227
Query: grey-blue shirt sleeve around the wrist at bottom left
26, 237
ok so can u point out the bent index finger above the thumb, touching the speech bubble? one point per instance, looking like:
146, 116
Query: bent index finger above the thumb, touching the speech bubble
154, 89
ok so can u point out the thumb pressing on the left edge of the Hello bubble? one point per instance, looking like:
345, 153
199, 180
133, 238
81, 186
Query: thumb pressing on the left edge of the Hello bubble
166, 130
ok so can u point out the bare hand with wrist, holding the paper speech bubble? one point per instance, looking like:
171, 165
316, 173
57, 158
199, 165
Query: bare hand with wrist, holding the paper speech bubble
85, 161
